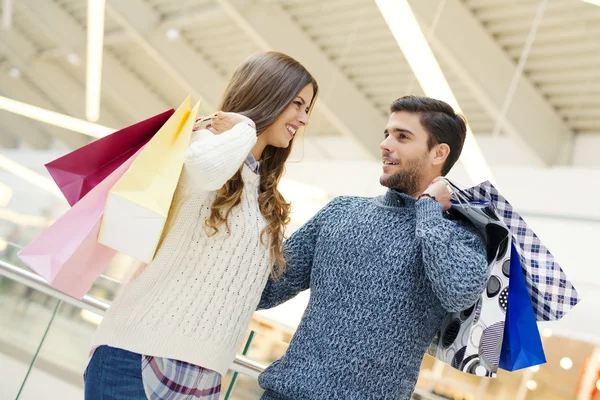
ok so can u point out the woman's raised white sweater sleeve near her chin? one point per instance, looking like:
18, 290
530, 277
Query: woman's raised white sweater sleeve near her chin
211, 160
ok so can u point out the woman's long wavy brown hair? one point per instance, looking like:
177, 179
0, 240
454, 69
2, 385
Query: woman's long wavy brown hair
262, 88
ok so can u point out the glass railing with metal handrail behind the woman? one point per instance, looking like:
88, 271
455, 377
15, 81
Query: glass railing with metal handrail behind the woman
45, 336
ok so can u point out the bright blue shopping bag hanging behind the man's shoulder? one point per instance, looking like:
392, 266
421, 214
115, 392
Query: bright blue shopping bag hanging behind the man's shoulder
522, 345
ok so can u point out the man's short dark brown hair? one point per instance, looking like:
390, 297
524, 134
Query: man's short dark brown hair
441, 123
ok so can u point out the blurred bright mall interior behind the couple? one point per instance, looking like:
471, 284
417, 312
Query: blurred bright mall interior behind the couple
526, 74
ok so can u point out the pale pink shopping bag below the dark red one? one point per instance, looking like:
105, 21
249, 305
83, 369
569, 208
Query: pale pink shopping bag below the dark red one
67, 254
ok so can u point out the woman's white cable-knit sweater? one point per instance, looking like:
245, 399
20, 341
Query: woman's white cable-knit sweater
194, 301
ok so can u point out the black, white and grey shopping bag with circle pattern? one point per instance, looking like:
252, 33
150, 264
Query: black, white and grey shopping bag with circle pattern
471, 340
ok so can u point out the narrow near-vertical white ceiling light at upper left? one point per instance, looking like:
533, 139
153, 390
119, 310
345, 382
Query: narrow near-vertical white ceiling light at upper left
95, 44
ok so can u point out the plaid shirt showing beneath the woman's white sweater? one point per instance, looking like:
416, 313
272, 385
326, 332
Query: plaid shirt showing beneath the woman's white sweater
168, 379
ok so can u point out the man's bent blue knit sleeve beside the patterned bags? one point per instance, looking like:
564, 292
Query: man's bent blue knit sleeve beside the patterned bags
454, 257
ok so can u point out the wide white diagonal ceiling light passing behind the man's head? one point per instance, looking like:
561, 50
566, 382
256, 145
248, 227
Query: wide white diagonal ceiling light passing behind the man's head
411, 40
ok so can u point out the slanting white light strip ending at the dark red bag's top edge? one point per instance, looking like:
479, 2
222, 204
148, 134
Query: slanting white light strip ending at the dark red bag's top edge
54, 118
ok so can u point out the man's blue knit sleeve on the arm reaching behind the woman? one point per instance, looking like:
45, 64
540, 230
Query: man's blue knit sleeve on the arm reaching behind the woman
299, 251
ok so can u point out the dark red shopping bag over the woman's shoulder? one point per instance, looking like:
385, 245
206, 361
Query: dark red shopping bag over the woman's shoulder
78, 172
